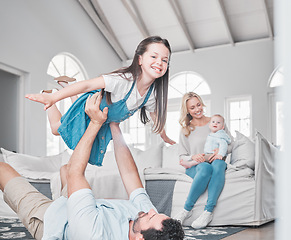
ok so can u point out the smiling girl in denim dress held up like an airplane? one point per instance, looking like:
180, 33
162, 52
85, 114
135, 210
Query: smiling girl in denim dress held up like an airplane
143, 85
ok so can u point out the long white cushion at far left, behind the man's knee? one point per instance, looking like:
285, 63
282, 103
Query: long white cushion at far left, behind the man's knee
35, 167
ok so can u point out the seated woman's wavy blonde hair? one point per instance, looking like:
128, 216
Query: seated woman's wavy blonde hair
185, 117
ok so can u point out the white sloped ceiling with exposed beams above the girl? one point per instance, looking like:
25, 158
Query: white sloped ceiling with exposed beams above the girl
189, 25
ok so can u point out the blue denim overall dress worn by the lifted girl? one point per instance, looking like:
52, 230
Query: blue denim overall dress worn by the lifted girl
75, 122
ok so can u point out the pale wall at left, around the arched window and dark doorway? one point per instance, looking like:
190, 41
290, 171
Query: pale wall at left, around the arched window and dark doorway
32, 33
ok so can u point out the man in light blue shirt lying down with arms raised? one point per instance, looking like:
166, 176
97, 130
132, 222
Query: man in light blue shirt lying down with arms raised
81, 216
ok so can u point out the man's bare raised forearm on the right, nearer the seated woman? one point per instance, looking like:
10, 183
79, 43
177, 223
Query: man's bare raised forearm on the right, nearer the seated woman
126, 165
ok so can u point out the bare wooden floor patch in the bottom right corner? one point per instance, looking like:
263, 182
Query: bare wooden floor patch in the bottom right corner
264, 232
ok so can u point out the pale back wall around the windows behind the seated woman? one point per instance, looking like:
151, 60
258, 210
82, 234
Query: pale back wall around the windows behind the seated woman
234, 70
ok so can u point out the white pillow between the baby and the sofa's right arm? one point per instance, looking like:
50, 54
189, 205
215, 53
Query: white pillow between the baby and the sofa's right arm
243, 152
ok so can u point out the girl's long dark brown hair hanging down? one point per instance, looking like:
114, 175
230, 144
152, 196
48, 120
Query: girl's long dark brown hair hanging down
160, 84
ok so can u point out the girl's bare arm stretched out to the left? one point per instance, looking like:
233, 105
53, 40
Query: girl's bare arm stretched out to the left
80, 87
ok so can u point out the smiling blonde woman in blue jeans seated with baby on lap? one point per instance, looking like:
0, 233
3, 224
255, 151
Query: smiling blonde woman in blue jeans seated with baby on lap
211, 173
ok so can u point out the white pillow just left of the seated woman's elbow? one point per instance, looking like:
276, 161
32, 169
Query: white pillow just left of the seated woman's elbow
171, 158
